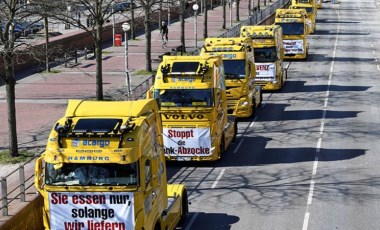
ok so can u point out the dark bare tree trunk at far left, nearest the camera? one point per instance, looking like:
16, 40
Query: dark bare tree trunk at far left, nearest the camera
11, 104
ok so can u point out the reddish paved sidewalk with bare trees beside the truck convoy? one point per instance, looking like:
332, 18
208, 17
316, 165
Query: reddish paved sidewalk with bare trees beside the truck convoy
42, 98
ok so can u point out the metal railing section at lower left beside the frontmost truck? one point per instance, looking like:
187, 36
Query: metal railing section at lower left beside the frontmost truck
11, 192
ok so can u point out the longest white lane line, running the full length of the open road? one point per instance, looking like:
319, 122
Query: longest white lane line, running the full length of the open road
319, 143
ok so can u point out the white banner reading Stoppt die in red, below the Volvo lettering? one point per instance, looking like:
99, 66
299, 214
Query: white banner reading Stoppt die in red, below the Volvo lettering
187, 142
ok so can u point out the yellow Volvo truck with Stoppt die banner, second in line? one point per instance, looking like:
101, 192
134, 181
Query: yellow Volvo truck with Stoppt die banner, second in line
192, 95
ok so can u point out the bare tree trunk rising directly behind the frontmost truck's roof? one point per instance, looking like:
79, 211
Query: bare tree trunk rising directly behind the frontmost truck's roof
98, 58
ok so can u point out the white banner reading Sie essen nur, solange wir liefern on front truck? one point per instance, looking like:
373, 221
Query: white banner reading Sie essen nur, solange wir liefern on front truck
86, 210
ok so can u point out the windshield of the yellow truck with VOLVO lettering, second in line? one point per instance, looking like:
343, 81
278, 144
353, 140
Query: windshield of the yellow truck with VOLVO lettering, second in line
185, 97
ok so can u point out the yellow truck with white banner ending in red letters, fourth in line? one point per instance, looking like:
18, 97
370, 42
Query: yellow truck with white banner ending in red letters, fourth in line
269, 55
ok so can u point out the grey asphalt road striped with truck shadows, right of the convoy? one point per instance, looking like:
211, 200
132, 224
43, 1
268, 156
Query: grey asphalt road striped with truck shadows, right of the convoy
309, 160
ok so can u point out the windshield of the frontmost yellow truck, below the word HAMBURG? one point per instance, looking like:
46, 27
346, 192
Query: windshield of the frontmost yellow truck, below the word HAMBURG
74, 174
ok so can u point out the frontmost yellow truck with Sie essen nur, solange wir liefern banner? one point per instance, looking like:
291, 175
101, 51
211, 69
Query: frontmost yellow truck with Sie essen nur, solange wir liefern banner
104, 168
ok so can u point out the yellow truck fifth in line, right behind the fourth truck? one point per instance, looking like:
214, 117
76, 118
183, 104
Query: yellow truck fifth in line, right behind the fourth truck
295, 28
